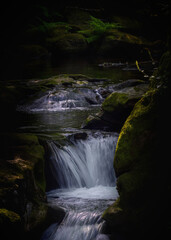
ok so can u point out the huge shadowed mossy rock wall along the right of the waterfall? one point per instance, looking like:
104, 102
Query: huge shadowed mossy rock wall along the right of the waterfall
142, 167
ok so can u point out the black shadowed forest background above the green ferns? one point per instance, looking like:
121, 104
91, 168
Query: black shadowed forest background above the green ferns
17, 17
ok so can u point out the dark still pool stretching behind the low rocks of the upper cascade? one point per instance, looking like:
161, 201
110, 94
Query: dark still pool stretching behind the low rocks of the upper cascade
89, 66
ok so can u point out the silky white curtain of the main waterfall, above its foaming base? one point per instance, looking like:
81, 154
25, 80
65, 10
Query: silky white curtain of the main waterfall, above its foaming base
84, 163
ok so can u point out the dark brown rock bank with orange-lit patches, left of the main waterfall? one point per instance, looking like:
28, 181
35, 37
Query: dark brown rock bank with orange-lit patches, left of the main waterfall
22, 184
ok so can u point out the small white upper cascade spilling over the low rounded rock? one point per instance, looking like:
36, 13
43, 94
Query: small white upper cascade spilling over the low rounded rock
64, 99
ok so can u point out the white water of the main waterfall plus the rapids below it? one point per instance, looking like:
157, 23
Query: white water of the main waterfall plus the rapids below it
84, 171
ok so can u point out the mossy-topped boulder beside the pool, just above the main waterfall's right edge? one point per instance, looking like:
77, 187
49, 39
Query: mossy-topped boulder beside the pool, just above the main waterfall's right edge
117, 106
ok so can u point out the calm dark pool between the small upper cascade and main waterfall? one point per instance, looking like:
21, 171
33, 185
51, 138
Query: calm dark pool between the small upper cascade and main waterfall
51, 122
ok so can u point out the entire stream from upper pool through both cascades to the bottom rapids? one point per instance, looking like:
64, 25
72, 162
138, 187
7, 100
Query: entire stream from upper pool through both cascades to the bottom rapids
79, 165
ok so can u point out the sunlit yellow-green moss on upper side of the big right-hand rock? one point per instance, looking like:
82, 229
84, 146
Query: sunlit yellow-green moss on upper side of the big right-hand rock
138, 127
